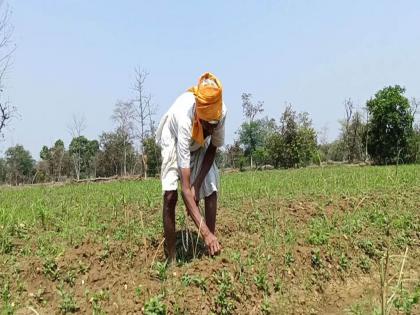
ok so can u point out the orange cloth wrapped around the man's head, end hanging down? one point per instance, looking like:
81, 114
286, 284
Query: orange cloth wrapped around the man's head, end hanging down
208, 104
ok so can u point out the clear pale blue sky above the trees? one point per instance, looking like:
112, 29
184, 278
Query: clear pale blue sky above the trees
77, 57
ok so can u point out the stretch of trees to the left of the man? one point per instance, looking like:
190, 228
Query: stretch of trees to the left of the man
129, 149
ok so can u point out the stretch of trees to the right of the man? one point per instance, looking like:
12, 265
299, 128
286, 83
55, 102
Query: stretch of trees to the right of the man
383, 133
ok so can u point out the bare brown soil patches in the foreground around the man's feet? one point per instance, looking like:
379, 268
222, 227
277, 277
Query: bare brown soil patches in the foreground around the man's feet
113, 274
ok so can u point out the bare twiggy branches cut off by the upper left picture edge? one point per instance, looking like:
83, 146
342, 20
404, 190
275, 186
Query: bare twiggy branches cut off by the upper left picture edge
7, 111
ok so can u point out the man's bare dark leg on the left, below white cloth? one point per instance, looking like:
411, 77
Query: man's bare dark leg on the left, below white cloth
169, 203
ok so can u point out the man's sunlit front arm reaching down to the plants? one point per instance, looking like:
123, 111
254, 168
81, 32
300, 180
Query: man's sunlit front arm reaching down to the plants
188, 196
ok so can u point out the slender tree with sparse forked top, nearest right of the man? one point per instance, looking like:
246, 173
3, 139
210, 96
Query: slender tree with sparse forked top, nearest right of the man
250, 133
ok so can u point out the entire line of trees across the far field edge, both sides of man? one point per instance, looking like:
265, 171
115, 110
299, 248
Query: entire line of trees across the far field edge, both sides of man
385, 133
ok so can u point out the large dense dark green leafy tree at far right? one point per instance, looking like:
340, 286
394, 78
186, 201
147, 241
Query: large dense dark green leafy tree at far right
390, 126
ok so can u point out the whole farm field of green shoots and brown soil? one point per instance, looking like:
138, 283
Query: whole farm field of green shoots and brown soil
294, 241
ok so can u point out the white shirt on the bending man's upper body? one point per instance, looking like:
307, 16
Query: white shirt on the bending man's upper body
179, 119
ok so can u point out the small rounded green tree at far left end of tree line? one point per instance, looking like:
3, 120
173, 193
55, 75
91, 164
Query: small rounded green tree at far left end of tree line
20, 165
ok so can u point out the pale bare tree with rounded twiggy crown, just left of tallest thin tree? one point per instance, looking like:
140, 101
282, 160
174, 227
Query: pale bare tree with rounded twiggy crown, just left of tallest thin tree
124, 115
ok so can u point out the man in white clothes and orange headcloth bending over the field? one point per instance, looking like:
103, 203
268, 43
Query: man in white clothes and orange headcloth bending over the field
189, 134
